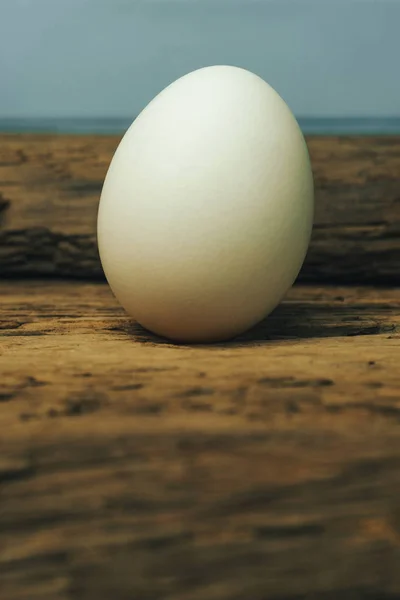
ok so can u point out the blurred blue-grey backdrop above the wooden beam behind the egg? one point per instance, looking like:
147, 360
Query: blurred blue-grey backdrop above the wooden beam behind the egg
92, 65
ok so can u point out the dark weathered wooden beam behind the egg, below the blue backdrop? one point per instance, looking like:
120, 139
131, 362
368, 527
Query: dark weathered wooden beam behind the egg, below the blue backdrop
50, 187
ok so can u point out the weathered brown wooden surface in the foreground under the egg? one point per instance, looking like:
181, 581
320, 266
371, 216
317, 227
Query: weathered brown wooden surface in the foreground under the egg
264, 468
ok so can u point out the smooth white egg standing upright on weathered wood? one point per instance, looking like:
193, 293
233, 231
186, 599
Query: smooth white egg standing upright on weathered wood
206, 211
